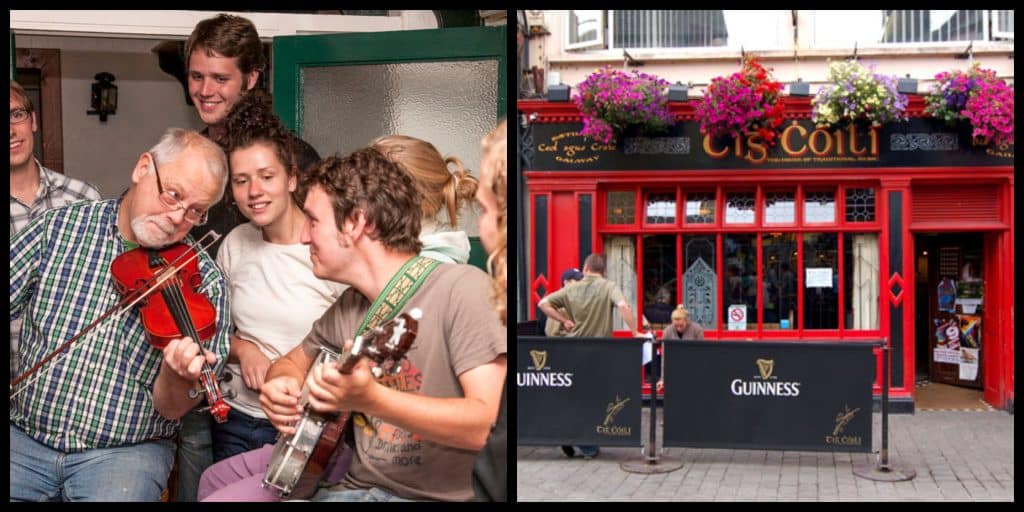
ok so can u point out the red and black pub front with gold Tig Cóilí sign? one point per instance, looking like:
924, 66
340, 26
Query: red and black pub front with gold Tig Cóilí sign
904, 233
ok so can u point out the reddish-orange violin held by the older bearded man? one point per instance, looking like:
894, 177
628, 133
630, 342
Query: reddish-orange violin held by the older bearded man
179, 311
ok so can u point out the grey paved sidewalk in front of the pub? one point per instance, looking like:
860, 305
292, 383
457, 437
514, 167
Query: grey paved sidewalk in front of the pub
959, 456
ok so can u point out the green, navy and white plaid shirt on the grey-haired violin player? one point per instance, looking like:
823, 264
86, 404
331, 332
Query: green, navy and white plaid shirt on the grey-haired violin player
100, 393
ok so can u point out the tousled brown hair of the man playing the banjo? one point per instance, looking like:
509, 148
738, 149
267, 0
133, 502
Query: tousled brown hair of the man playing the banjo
367, 181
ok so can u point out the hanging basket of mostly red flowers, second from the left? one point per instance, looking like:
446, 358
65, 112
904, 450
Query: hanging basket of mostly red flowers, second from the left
743, 103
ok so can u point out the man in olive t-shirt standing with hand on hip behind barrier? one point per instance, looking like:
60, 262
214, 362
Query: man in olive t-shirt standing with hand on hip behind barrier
589, 307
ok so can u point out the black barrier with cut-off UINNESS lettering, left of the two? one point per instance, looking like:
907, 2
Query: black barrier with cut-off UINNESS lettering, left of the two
578, 392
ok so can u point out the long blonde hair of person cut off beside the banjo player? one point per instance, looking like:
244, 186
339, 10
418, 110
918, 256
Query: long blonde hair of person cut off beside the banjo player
495, 165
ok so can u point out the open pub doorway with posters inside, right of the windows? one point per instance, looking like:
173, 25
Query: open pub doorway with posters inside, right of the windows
950, 331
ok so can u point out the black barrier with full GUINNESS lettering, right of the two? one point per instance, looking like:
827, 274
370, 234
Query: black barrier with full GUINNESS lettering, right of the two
775, 396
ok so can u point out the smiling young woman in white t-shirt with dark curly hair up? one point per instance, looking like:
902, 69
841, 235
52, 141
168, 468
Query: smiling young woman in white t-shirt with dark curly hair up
275, 297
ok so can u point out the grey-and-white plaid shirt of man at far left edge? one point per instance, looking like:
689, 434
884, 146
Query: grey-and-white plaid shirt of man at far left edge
56, 191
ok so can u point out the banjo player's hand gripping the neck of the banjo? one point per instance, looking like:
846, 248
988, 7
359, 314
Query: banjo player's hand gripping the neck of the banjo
333, 392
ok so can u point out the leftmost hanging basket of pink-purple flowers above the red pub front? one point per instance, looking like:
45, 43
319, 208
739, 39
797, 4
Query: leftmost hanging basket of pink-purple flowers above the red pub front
611, 101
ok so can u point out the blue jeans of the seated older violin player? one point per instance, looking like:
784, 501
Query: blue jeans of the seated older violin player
131, 474
